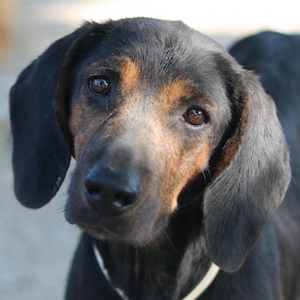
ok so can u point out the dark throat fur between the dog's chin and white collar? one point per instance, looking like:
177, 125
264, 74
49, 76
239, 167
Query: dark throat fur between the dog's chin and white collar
168, 268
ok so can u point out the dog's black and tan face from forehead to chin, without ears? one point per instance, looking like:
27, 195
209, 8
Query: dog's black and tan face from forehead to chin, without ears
145, 106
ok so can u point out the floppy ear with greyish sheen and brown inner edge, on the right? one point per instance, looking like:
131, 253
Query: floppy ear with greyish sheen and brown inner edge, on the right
250, 180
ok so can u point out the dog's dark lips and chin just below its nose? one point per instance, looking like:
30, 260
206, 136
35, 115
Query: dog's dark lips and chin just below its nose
136, 227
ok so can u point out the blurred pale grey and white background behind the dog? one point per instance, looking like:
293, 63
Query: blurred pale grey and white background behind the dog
36, 247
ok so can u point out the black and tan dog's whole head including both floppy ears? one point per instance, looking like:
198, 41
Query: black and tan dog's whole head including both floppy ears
150, 110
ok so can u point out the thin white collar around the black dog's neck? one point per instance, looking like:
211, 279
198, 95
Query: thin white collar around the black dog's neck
194, 294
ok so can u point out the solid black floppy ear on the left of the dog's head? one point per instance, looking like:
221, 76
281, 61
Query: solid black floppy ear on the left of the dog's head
40, 154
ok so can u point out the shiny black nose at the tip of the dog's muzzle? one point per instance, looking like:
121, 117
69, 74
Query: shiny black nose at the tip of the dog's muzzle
112, 190
